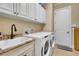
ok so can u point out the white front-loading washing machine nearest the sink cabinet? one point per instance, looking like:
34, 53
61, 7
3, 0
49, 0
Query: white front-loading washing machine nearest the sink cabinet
42, 43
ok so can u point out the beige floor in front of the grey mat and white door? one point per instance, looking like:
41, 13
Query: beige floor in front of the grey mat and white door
60, 52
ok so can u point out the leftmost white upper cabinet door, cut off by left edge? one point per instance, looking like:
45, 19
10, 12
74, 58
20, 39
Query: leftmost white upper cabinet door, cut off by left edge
7, 7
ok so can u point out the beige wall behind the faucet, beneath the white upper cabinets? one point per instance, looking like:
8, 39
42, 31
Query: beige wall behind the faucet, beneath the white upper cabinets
5, 25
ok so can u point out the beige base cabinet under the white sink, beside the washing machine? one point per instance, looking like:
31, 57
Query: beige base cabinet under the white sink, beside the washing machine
23, 50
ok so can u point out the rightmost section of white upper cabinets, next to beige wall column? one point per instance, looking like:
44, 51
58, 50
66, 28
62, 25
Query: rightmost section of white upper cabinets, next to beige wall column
40, 14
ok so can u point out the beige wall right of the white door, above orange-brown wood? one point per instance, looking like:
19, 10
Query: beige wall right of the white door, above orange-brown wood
75, 14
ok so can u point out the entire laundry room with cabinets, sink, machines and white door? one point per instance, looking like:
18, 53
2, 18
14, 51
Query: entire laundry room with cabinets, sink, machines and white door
39, 29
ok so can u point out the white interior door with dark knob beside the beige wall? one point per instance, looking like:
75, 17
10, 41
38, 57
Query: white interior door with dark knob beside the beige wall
62, 27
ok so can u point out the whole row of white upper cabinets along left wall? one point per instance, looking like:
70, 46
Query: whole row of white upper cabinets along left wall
28, 11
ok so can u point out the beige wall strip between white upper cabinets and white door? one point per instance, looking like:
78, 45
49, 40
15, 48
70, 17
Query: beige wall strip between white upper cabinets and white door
50, 21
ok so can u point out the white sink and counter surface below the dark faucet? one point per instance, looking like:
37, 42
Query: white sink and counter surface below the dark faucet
13, 42
